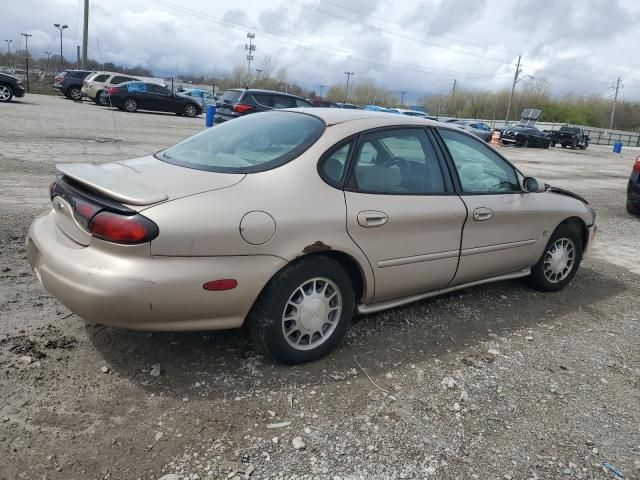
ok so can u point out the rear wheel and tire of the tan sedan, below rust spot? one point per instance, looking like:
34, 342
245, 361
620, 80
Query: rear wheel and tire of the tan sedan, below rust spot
304, 311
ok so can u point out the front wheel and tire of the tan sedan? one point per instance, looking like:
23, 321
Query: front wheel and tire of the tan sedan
559, 262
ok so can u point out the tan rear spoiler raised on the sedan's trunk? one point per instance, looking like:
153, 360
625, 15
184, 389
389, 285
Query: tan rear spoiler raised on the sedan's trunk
116, 187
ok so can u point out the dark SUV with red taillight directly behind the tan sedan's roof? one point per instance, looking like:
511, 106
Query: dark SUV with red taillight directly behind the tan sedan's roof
238, 101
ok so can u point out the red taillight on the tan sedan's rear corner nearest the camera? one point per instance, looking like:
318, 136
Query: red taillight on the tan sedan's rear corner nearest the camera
123, 229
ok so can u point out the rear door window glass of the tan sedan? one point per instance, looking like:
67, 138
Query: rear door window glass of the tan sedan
403, 162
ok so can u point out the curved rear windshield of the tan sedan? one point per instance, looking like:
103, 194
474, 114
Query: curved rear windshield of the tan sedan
253, 143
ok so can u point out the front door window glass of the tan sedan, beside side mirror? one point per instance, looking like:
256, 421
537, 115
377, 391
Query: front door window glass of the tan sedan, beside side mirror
479, 168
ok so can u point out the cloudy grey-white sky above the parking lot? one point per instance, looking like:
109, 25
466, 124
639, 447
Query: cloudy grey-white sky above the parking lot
417, 46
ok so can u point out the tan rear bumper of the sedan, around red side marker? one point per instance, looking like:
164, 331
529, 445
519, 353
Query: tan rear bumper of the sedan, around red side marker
127, 287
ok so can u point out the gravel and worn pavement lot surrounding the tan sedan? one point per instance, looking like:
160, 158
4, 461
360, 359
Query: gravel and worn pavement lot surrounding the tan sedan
495, 382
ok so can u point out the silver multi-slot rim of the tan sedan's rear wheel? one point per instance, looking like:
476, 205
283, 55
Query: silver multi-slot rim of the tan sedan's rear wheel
311, 314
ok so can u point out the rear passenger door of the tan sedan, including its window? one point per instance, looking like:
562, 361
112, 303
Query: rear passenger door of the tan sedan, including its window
402, 212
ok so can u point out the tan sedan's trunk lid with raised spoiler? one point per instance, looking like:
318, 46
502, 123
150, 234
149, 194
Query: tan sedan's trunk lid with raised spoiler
126, 187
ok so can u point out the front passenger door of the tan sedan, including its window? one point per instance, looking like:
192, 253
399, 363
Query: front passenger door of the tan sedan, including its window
504, 224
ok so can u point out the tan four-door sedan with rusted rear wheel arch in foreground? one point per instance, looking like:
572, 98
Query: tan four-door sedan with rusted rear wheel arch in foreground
294, 220
